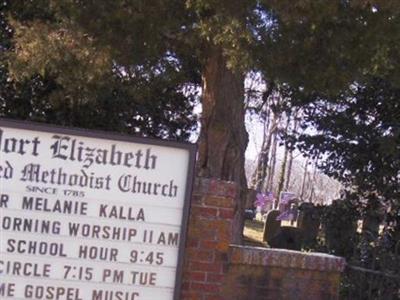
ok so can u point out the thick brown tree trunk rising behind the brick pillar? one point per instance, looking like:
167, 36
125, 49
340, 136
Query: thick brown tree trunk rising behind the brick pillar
223, 137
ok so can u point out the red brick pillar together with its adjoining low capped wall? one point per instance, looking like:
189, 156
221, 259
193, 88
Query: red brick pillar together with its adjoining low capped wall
215, 269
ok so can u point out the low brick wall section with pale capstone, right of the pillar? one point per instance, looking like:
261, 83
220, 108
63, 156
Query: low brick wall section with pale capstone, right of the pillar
264, 273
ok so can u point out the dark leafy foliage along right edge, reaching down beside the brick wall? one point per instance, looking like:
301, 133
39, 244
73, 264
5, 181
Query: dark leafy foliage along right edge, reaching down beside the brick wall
357, 133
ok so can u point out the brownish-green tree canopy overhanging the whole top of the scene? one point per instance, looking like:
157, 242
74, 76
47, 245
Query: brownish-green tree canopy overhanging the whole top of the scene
309, 45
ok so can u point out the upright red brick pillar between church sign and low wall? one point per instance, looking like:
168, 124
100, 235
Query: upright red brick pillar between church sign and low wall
209, 236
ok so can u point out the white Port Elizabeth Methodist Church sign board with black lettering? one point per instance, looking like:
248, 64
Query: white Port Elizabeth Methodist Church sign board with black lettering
91, 216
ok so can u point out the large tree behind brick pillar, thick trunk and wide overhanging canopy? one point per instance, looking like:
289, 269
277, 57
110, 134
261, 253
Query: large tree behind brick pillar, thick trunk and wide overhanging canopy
312, 45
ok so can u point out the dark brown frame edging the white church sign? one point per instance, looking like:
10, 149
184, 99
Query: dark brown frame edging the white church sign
115, 136
